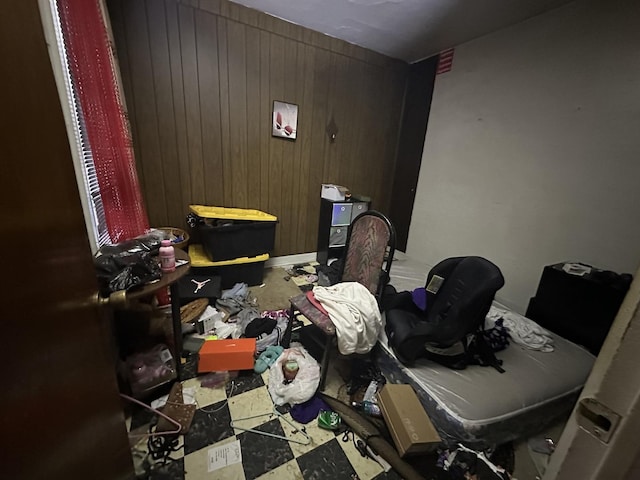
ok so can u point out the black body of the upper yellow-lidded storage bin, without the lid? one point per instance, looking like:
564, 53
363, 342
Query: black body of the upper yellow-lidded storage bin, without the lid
238, 239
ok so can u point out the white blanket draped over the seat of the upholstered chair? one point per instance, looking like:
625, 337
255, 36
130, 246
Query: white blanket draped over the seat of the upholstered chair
354, 312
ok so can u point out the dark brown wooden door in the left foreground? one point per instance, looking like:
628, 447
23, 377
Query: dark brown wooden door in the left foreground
60, 413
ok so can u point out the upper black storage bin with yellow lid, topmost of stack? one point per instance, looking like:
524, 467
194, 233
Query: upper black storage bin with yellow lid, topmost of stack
230, 233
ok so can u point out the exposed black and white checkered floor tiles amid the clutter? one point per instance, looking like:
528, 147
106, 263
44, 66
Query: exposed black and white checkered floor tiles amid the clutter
327, 455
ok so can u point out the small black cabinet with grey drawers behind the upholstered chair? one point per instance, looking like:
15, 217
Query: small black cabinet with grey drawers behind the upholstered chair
335, 218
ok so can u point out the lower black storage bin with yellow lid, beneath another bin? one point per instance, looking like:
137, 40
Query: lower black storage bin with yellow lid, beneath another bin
249, 270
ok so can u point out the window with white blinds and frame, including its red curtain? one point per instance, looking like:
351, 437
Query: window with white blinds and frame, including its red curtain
98, 129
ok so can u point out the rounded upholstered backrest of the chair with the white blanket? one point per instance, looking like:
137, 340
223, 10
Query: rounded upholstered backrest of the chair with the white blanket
371, 241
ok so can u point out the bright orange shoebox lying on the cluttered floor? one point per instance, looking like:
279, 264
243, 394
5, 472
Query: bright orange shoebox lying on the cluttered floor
227, 355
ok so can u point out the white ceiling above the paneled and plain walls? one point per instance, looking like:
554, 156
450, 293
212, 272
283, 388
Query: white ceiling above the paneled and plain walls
410, 30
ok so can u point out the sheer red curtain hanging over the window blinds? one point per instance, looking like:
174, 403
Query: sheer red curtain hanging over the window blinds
93, 72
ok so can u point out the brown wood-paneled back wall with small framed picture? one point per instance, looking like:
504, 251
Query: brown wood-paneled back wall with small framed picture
200, 78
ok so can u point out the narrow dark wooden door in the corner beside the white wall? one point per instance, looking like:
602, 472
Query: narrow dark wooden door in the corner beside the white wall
417, 105
